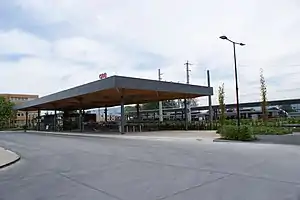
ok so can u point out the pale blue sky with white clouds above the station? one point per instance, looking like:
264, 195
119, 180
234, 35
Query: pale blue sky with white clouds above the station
50, 45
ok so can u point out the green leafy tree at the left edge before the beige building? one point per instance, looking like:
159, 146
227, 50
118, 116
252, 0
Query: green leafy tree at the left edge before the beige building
6, 112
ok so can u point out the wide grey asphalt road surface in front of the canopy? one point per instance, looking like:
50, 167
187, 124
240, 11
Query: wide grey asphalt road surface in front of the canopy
70, 167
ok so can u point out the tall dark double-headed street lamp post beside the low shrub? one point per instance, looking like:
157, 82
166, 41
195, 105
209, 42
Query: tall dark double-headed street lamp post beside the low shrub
236, 78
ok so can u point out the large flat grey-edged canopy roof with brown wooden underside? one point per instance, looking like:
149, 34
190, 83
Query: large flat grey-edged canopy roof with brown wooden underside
110, 91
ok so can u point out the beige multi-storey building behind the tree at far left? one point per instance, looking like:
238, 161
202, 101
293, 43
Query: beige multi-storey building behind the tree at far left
21, 115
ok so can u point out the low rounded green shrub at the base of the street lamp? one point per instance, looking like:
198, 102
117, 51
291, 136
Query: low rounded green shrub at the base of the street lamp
231, 132
